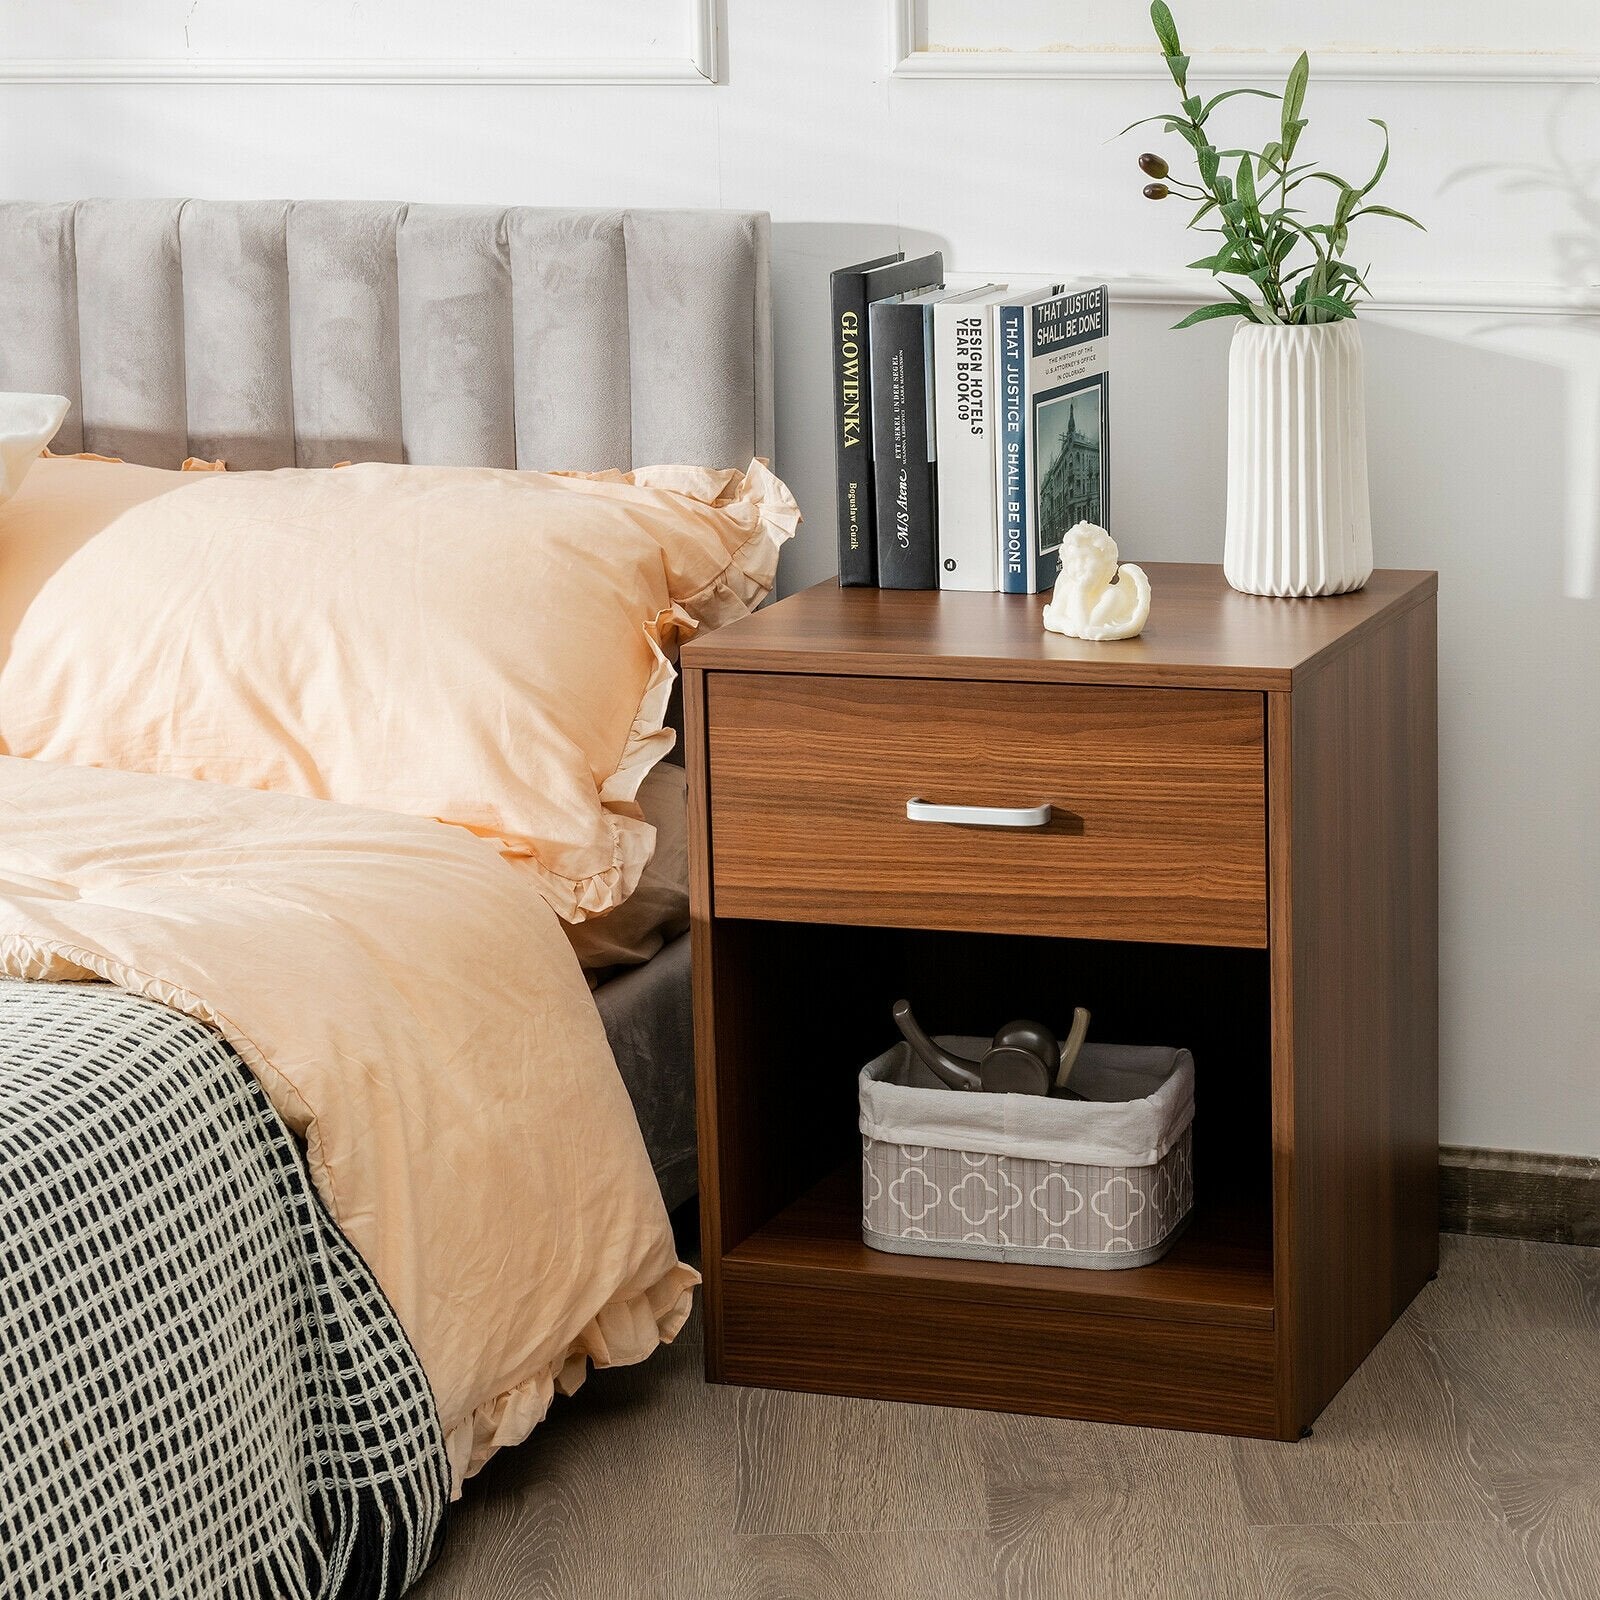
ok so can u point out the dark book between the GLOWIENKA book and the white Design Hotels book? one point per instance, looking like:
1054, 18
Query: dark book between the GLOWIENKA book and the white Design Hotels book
902, 337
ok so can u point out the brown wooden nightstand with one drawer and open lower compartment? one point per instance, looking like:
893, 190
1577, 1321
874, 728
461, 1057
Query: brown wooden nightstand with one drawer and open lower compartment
1241, 858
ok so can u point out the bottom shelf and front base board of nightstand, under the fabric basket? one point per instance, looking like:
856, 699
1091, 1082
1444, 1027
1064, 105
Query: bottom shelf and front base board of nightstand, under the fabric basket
1183, 1343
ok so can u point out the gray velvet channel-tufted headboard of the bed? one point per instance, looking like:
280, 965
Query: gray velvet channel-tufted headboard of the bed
302, 334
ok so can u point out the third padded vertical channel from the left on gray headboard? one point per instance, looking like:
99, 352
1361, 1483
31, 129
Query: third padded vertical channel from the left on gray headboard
238, 332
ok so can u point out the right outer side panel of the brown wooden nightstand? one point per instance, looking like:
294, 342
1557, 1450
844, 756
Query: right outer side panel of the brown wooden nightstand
1354, 903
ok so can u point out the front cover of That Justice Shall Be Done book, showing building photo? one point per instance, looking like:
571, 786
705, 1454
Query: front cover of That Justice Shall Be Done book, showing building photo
1068, 388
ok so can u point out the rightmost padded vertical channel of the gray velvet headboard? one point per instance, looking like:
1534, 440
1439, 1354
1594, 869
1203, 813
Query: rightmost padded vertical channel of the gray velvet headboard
692, 306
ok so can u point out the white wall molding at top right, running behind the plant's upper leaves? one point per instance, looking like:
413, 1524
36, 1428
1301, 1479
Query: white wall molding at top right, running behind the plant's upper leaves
908, 60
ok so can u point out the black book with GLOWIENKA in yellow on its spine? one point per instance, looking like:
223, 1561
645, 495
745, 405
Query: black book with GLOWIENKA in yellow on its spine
852, 290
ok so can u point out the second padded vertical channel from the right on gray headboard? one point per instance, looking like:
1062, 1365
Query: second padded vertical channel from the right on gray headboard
569, 282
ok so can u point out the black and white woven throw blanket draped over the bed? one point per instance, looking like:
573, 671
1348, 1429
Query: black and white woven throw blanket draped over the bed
202, 1390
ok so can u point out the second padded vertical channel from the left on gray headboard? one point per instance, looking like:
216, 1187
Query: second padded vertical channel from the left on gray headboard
132, 330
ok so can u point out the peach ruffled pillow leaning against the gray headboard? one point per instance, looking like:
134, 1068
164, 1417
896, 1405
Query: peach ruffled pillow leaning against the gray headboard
489, 649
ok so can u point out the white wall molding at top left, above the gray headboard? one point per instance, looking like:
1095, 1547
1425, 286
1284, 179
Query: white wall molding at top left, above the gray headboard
702, 68
